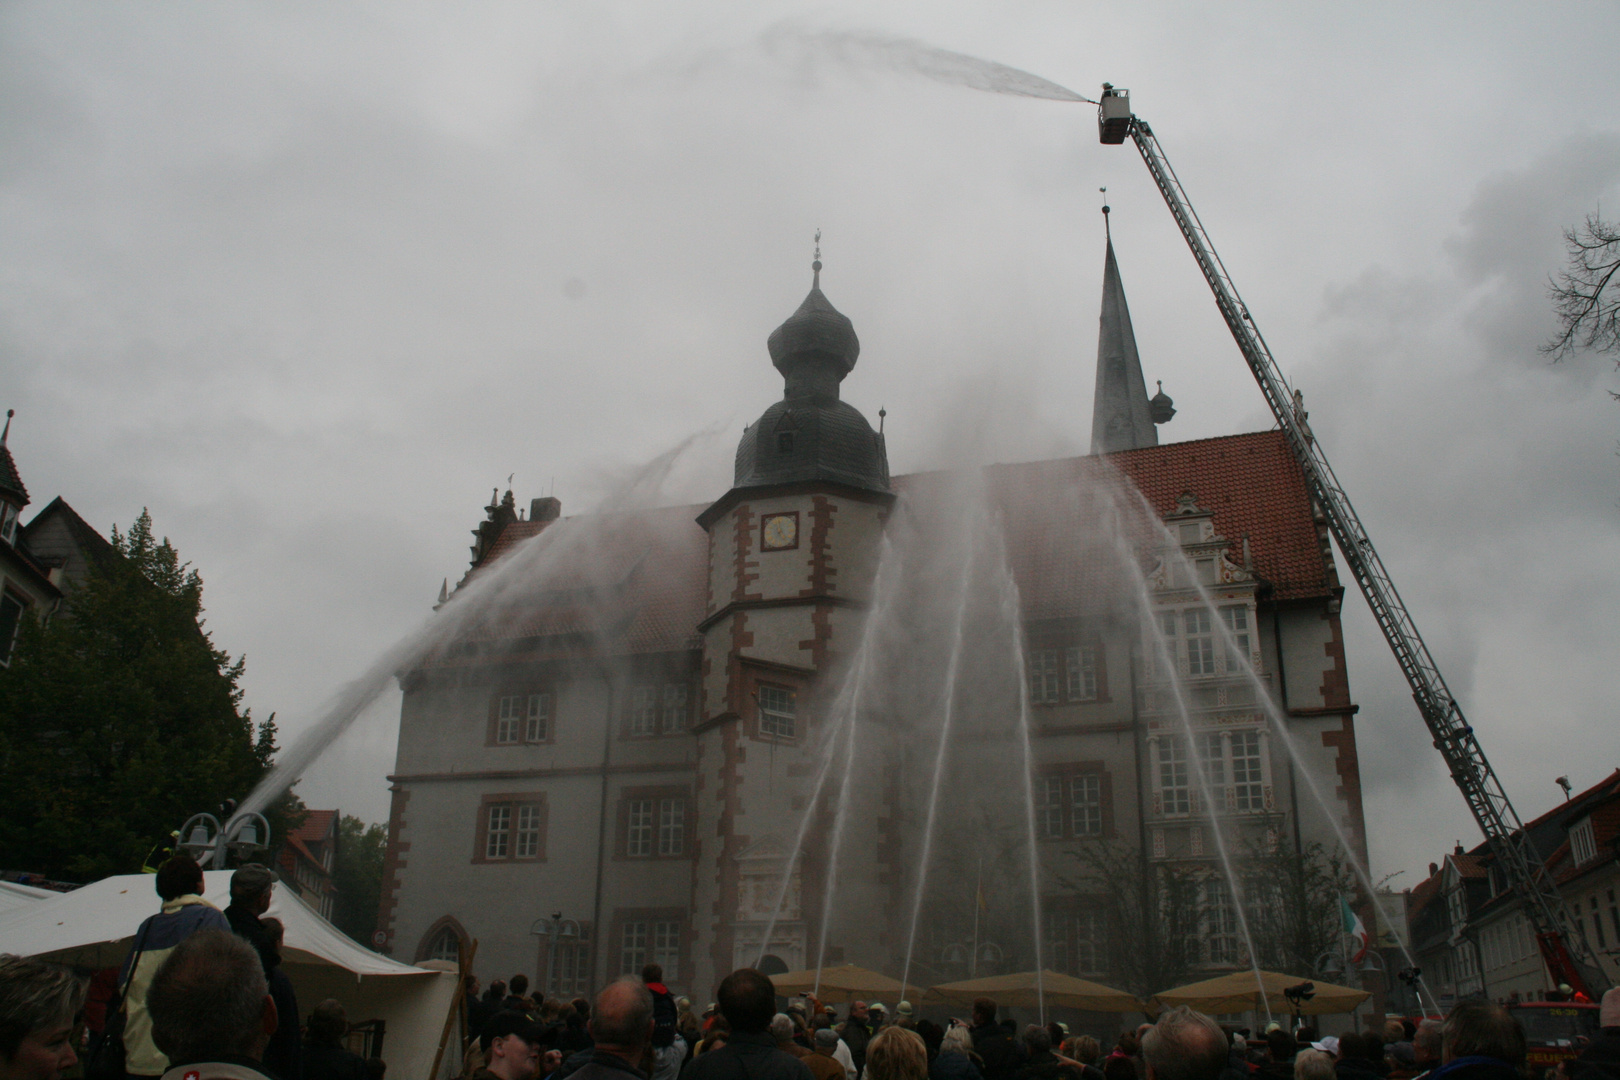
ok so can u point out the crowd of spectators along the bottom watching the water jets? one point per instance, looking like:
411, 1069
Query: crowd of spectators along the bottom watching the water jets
202, 997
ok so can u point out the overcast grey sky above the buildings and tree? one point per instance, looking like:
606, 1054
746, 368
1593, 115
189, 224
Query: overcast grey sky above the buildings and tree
310, 279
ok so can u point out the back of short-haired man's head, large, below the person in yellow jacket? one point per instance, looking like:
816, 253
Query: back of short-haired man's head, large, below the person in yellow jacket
211, 1010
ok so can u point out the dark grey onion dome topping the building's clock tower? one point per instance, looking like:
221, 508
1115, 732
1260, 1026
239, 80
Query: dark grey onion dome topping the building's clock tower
811, 435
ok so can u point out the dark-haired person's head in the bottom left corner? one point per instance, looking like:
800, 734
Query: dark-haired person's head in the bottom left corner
38, 1006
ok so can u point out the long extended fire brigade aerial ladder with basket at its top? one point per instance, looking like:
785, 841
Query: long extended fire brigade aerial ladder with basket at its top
1559, 933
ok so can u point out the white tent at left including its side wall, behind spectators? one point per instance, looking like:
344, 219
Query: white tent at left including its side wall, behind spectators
95, 927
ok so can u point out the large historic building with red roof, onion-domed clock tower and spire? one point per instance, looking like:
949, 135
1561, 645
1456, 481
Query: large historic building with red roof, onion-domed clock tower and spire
620, 750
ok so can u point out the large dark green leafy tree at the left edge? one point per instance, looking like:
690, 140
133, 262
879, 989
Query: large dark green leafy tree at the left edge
119, 720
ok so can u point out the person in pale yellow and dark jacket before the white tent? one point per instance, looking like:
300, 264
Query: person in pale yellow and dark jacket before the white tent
184, 914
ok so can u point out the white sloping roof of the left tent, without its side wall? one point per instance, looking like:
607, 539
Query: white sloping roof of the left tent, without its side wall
95, 925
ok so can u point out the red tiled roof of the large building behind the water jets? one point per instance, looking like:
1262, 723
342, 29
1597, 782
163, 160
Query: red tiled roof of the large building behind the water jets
642, 579
